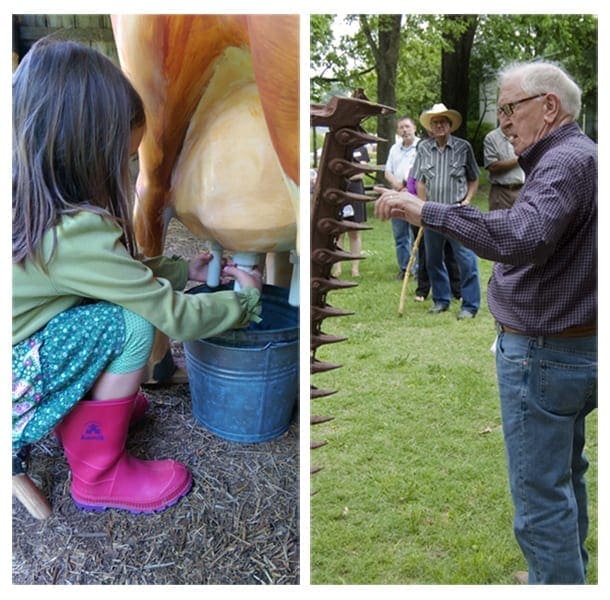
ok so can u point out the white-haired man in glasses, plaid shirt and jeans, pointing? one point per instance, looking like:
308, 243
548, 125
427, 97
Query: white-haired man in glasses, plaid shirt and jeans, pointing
543, 295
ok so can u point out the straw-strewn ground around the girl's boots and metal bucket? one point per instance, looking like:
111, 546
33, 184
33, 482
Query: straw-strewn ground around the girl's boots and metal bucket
238, 525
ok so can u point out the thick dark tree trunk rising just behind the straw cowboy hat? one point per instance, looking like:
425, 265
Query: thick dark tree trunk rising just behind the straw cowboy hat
455, 66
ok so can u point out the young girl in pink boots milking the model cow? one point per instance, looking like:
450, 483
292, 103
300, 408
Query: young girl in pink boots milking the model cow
84, 306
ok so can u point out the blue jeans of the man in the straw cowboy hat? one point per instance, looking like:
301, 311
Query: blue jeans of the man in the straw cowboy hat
439, 277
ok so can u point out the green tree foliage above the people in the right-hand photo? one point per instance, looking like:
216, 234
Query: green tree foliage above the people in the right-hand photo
339, 64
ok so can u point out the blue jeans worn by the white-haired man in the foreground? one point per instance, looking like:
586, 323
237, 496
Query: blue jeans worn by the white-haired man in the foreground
547, 387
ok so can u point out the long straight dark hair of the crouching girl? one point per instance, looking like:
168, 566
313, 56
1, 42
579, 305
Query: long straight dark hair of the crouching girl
73, 113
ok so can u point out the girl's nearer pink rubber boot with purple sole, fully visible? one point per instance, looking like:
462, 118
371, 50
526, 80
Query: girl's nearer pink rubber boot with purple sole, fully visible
104, 476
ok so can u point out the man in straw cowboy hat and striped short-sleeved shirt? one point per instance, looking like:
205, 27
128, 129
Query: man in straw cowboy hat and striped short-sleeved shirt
447, 172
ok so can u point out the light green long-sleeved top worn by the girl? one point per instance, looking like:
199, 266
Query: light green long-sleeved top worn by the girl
91, 262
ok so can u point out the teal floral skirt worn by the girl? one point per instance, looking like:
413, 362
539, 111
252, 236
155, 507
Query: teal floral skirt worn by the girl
58, 365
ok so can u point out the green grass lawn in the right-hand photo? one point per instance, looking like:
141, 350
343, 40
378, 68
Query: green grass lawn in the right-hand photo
413, 487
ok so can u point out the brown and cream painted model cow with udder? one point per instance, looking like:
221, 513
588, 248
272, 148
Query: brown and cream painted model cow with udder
221, 146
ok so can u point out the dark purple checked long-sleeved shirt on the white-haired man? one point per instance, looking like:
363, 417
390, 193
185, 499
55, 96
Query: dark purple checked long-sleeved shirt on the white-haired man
545, 248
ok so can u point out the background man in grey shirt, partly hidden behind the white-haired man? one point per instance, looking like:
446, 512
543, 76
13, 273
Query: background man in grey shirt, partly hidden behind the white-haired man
505, 175
